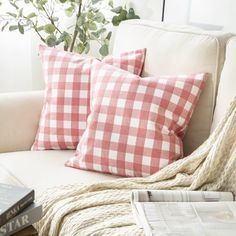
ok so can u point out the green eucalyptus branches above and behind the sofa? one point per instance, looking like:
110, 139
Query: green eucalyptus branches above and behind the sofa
90, 22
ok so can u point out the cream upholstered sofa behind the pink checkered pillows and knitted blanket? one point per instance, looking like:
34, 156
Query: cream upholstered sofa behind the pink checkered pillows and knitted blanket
170, 50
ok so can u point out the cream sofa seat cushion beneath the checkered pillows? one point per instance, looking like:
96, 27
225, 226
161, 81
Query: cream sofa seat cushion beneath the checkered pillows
44, 169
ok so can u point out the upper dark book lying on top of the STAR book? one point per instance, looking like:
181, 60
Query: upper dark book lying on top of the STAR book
13, 200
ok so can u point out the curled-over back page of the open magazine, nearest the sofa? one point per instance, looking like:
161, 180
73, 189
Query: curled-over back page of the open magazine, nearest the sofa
180, 196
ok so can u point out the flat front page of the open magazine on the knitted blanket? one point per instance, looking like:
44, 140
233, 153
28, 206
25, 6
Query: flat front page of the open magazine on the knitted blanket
188, 218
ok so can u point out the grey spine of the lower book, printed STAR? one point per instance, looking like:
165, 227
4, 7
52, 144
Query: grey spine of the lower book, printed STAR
21, 221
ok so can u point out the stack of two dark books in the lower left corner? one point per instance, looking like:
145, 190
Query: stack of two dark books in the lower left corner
17, 209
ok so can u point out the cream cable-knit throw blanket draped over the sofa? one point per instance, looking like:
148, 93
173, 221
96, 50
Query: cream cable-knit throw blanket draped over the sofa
104, 208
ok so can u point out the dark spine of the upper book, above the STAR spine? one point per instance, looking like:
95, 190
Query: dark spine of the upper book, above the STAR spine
17, 208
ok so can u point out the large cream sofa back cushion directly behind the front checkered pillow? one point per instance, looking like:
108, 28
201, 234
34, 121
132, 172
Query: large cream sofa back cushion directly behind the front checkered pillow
175, 50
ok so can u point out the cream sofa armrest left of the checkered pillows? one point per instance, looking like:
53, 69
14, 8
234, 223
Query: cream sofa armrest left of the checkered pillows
19, 119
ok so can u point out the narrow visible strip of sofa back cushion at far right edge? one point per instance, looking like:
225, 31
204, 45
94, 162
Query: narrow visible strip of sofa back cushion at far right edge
227, 85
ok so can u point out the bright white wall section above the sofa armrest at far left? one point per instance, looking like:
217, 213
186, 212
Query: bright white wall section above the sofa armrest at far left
15, 62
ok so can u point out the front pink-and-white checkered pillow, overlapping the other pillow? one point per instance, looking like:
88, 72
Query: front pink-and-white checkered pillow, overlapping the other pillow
135, 123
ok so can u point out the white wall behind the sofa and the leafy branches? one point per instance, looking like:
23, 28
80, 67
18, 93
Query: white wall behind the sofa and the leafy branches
20, 68
